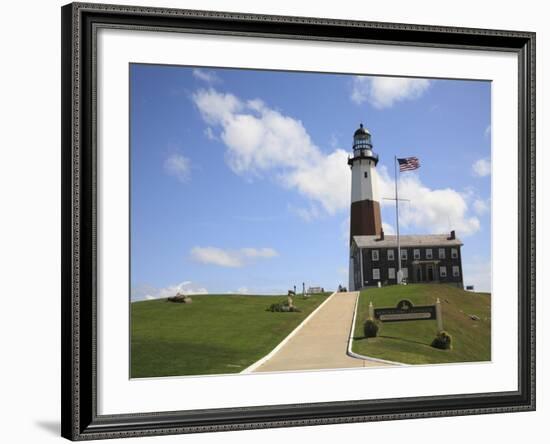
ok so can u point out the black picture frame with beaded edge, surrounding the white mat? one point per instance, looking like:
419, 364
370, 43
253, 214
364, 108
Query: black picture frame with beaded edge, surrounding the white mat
80, 420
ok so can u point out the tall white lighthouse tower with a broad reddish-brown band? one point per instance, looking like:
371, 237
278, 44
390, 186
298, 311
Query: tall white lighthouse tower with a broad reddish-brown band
365, 216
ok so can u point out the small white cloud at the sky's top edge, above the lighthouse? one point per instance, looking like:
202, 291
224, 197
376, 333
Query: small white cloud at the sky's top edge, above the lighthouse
384, 92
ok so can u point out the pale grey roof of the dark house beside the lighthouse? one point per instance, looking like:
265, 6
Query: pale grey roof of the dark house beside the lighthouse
407, 240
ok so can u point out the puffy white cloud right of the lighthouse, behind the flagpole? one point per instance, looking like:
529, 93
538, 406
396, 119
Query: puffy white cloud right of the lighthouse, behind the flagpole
429, 210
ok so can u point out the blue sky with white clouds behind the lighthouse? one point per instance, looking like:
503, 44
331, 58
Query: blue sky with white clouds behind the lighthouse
239, 181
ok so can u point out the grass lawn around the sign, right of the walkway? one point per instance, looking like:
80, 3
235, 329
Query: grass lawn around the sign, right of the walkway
409, 342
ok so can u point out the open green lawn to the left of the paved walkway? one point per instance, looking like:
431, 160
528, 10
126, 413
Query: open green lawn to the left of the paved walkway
214, 334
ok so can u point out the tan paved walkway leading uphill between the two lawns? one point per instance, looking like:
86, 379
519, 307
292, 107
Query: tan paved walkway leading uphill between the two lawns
322, 342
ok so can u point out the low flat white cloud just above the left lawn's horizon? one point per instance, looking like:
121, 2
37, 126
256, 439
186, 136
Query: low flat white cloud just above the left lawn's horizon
231, 258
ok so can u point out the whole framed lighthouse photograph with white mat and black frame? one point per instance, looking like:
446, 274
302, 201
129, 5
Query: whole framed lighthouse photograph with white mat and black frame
281, 221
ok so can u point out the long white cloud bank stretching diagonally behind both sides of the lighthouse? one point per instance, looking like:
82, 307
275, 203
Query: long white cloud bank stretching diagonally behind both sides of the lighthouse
260, 140
